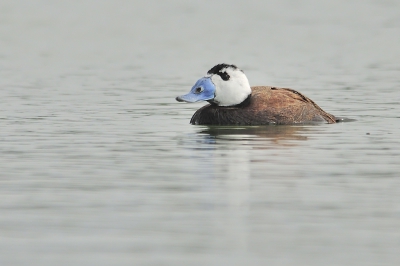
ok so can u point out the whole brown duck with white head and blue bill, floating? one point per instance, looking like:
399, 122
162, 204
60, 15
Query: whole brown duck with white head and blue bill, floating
232, 101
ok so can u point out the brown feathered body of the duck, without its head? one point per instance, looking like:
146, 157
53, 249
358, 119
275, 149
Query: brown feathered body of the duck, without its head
266, 105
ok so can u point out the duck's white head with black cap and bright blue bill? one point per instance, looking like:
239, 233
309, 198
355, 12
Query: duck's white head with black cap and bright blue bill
224, 85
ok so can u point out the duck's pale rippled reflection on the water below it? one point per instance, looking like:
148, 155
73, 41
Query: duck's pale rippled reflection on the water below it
224, 160
